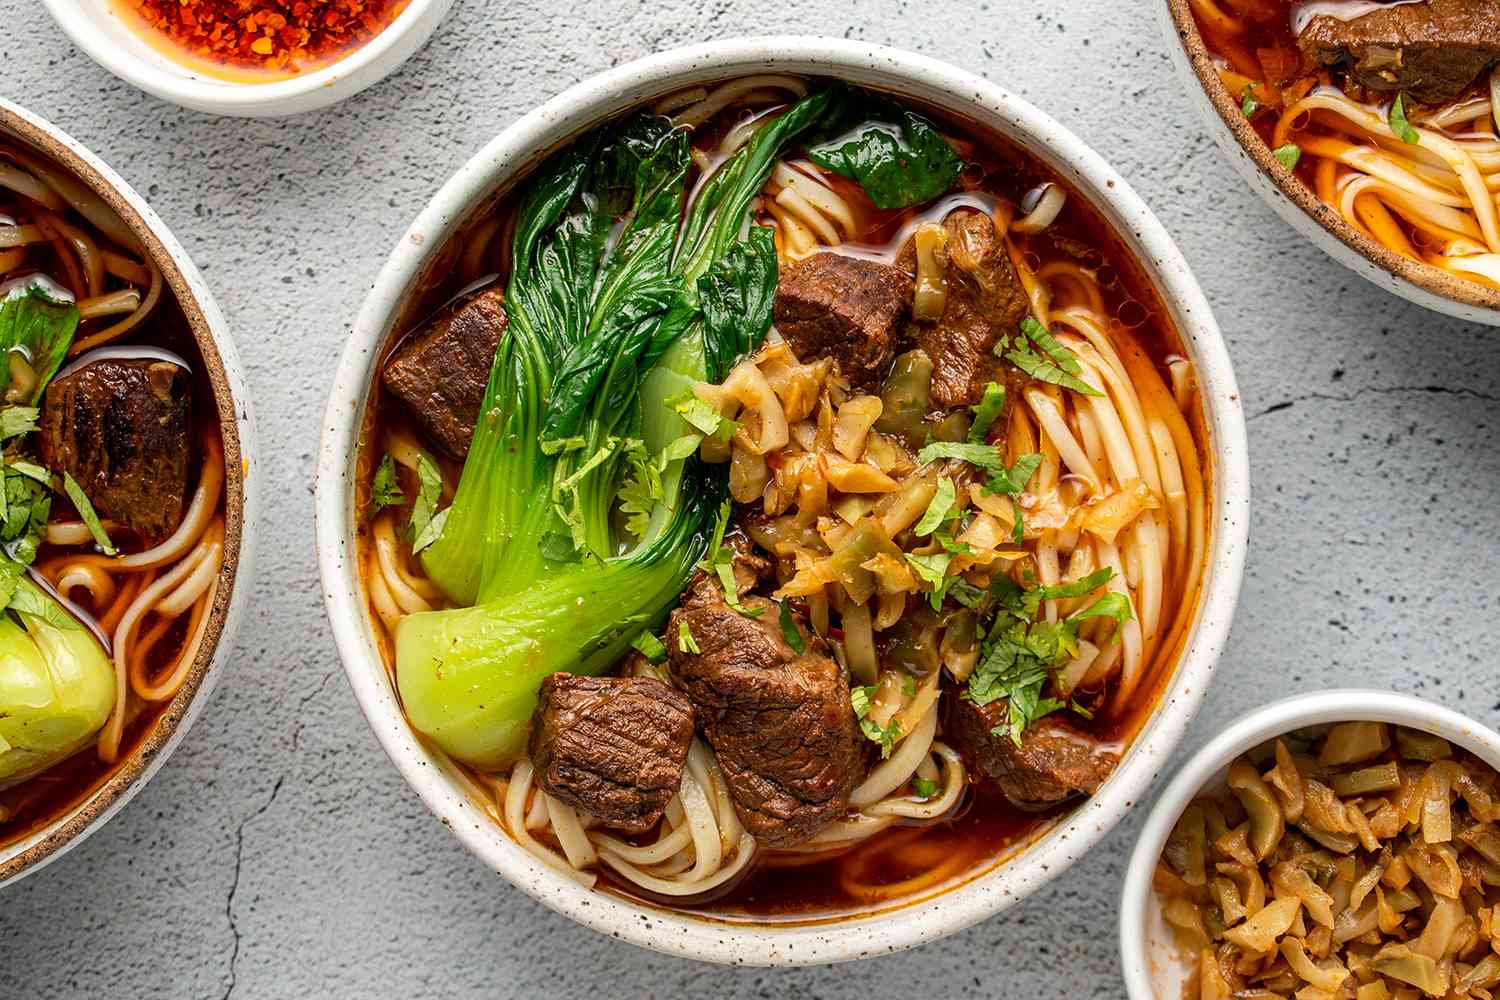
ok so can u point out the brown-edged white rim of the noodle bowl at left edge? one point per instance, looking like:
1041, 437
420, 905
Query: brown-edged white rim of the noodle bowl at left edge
238, 431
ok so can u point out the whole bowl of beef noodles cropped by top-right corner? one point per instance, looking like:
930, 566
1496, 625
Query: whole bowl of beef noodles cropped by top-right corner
1384, 155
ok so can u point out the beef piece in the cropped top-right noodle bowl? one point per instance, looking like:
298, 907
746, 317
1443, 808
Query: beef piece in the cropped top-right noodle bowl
1432, 50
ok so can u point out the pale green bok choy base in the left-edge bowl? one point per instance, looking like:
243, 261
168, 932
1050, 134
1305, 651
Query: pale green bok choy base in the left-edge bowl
56, 681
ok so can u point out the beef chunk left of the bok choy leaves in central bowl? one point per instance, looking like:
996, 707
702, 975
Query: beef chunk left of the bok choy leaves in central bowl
442, 371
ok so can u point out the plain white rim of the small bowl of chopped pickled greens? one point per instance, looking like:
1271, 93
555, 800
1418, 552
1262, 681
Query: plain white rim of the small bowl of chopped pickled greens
1268, 722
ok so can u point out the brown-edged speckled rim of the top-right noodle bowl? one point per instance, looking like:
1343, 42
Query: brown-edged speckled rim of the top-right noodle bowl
1420, 275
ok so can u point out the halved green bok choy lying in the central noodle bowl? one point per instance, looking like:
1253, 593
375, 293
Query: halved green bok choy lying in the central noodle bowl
583, 507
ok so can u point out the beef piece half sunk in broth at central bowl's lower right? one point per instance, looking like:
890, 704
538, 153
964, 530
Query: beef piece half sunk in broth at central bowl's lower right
1054, 764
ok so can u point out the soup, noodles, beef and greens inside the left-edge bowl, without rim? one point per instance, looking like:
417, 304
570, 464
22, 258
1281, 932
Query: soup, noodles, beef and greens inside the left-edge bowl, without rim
112, 524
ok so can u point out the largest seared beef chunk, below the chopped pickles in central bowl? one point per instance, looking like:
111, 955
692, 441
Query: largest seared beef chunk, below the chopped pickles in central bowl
781, 722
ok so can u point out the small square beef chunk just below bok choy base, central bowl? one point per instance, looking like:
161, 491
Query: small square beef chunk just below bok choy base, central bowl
613, 747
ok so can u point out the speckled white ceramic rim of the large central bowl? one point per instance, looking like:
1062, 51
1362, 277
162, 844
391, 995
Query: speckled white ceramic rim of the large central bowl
509, 158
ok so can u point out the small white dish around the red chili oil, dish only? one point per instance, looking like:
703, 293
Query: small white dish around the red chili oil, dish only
98, 29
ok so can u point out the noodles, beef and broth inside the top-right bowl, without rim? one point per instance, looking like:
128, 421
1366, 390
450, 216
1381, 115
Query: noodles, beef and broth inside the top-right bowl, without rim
1388, 112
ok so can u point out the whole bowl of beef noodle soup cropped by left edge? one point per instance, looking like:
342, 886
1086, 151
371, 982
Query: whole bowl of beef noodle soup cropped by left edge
128, 515
